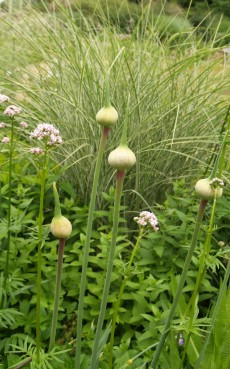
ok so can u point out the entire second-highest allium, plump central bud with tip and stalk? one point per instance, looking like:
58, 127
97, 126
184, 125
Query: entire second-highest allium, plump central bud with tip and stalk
120, 159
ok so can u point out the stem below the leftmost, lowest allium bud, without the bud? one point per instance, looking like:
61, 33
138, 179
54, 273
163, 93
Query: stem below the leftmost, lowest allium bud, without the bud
57, 292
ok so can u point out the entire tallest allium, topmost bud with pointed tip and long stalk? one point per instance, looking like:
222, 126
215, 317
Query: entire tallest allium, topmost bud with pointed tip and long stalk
106, 119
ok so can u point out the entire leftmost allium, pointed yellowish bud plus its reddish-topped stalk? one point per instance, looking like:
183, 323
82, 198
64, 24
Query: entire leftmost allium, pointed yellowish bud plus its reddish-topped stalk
61, 228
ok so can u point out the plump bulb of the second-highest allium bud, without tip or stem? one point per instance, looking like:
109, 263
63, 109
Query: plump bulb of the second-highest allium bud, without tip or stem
122, 158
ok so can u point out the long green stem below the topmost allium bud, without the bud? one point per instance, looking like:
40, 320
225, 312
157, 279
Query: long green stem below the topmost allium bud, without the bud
87, 246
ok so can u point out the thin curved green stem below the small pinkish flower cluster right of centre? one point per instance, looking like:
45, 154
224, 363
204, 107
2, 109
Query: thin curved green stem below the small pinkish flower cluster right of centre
118, 303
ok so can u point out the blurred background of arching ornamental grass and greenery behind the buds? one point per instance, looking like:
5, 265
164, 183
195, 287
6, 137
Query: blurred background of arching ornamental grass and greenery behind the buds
53, 60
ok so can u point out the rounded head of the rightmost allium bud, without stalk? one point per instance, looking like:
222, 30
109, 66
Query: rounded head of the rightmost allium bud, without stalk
206, 188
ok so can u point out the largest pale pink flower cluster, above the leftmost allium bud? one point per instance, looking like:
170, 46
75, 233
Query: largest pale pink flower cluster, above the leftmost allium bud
48, 132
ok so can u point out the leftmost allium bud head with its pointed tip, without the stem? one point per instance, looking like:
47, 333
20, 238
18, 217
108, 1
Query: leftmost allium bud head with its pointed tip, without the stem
60, 226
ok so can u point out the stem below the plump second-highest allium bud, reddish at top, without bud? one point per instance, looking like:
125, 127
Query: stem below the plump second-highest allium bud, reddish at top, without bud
95, 352
